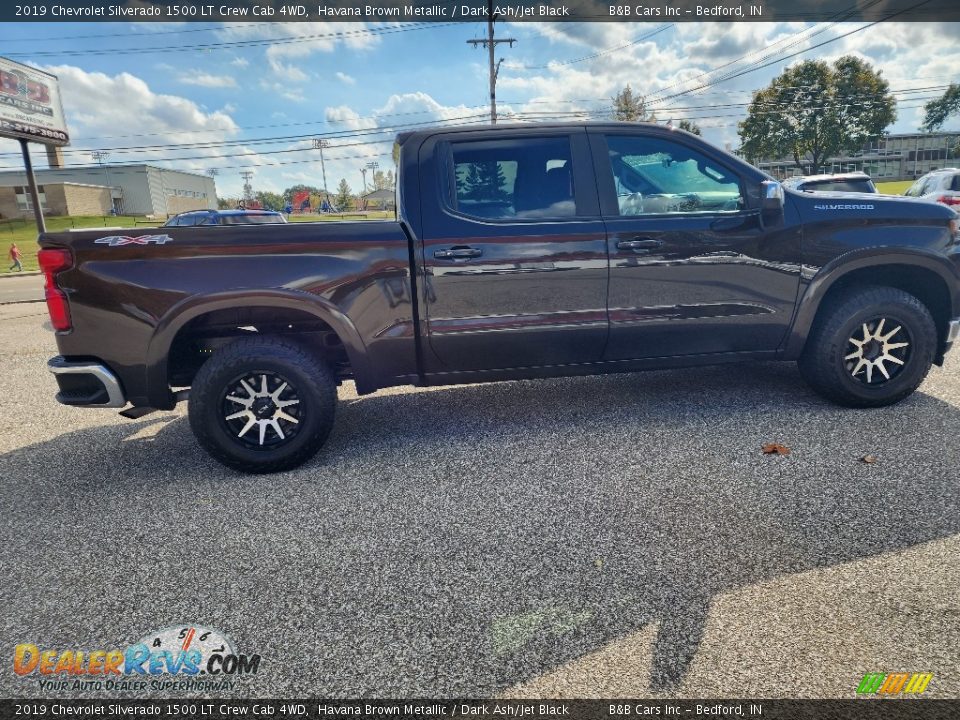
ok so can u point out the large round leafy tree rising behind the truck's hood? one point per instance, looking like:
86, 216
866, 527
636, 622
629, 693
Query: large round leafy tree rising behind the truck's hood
813, 111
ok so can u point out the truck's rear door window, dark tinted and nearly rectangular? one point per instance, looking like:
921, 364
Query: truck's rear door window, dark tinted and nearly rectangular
523, 178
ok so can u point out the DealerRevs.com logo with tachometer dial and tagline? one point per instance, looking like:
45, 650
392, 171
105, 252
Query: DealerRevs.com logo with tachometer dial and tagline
180, 657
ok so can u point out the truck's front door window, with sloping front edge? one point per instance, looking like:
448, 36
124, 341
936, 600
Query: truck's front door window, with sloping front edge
653, 176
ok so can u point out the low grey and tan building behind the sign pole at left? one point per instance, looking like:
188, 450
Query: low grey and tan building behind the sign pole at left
128, 189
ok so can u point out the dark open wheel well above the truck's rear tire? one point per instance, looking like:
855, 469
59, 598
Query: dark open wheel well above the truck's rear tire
202, 336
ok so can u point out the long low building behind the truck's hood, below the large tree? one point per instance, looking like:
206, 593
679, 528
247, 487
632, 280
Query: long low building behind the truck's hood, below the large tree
904, 156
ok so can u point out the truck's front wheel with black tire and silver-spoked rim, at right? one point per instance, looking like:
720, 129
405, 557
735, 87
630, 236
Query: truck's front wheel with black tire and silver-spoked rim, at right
871, 346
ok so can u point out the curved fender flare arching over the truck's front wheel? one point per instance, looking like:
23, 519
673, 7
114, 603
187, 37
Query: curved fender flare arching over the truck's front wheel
838, 268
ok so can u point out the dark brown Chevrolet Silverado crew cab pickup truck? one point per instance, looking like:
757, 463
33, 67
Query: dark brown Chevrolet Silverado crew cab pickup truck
517, 252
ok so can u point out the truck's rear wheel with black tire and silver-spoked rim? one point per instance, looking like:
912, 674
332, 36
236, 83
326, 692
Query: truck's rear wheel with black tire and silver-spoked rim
262, 405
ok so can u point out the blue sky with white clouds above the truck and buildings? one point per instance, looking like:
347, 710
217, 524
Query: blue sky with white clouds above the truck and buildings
251, 96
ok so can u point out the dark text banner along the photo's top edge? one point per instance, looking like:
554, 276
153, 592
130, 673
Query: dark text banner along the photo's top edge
479, 10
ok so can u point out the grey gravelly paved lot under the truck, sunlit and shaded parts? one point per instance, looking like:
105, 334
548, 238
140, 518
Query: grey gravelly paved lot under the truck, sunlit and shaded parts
616, 536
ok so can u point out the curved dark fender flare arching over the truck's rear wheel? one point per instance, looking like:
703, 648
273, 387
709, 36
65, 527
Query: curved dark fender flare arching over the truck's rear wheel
158, 390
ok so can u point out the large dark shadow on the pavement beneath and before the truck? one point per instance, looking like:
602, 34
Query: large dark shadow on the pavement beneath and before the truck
458, 541
